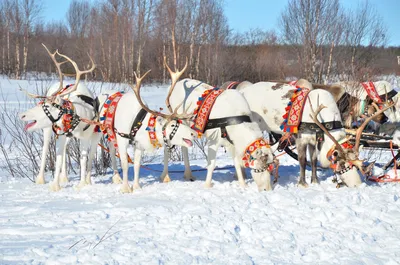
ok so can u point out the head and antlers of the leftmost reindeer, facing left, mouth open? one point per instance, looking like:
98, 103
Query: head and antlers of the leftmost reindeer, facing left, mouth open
49, 110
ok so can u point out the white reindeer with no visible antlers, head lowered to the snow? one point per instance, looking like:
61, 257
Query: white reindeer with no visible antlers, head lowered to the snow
229, 104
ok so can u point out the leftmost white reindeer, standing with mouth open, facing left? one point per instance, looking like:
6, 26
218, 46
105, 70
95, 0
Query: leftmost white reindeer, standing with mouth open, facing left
52, 114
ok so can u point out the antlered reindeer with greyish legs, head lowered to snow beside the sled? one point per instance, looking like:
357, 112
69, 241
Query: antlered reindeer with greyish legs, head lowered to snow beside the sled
268, 100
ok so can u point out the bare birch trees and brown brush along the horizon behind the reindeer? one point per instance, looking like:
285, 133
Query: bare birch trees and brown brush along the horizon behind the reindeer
317, 39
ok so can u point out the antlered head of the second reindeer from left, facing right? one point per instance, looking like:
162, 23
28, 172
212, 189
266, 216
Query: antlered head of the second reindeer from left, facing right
174, 131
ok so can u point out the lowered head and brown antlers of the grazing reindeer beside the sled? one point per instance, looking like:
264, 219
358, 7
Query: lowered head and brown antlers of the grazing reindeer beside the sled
344, 157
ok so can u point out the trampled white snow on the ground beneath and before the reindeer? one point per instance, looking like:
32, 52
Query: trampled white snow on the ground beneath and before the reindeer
185, 223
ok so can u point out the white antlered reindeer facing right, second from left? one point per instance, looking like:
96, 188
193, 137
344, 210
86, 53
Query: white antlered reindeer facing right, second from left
131, 117
